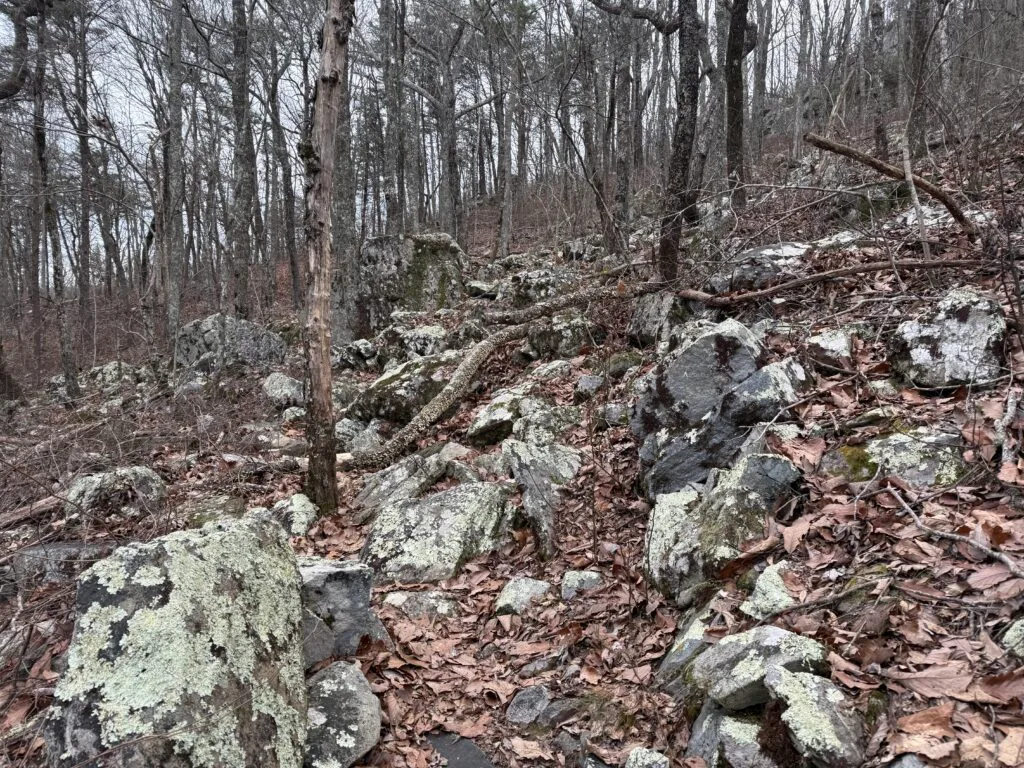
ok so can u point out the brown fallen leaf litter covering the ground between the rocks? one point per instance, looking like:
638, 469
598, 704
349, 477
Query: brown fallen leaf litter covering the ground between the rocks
925, 632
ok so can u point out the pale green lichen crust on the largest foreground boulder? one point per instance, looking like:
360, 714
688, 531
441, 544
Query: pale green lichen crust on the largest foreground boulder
168, 667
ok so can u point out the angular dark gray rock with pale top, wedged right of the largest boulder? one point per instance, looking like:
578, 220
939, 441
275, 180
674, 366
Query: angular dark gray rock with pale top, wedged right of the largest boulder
338, 592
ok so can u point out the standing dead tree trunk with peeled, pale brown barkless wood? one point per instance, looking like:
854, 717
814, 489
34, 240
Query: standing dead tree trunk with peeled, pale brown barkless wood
321, 482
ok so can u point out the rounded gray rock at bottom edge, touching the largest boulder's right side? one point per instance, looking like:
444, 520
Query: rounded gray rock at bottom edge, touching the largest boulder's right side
345, 717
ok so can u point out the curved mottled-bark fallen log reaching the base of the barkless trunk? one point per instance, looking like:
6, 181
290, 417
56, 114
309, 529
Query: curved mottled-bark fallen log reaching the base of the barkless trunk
452, 394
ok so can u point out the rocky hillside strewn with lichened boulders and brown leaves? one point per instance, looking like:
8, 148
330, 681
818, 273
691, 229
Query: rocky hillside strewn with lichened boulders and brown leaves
776, 522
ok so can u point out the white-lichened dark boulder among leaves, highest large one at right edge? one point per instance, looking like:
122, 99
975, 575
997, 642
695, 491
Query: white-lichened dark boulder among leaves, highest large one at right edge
961, 343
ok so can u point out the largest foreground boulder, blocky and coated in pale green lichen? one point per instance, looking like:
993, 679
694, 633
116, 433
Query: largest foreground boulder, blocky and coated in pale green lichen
187, 653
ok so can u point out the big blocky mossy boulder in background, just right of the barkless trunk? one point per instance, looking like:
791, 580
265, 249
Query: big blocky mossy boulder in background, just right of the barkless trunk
416, 273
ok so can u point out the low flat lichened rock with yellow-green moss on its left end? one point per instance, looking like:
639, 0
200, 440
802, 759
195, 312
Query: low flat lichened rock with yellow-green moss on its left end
922, 457
